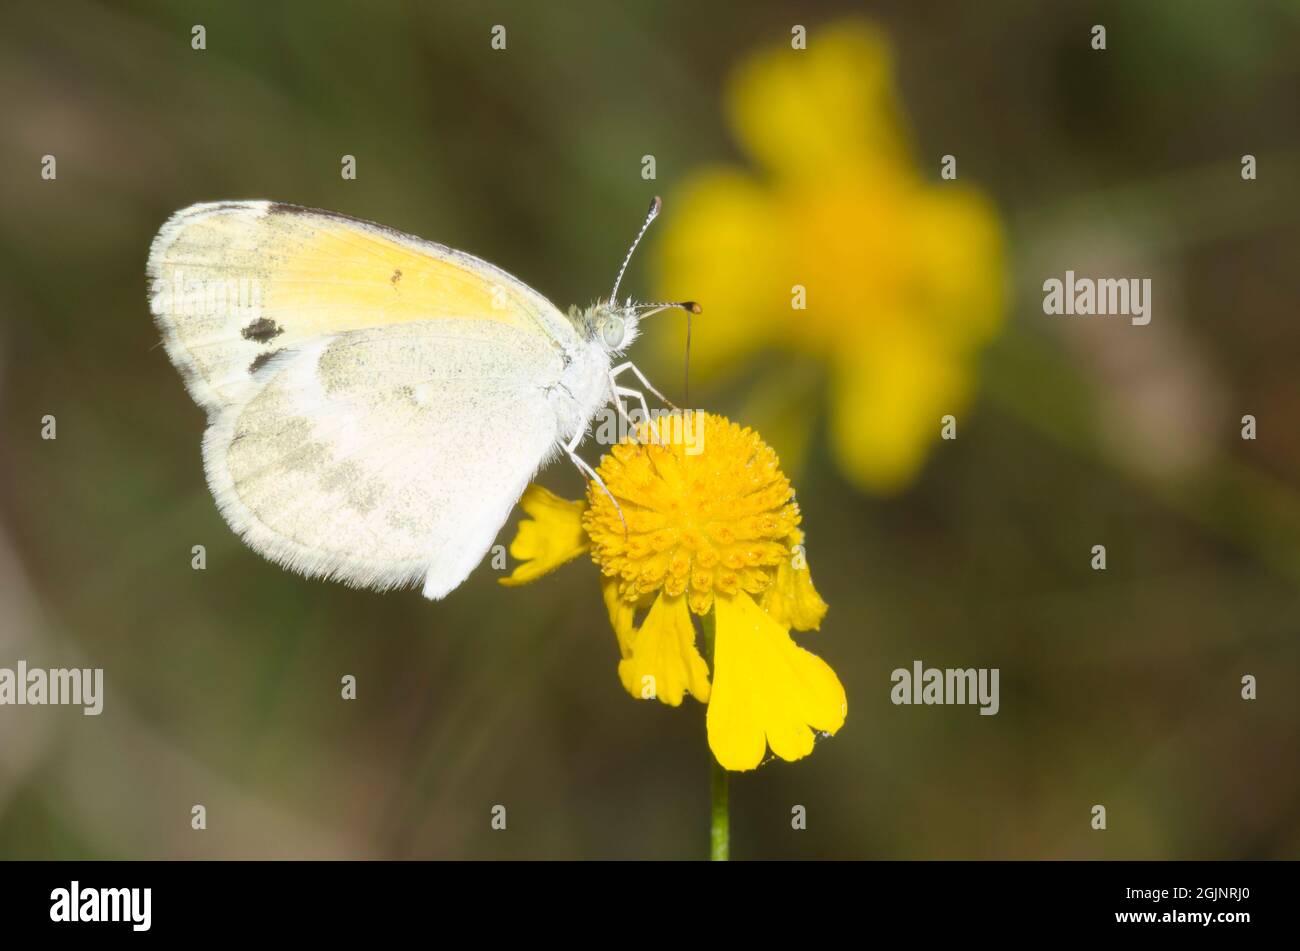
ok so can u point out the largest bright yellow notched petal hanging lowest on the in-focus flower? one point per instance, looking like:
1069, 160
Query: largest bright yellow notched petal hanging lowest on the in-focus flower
768, 691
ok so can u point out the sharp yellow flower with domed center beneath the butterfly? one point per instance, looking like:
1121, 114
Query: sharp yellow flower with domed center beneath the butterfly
712, 533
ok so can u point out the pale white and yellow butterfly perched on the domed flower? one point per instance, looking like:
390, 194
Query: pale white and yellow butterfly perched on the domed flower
378, 403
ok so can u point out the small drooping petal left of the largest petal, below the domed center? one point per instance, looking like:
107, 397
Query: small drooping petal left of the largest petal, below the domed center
665, 663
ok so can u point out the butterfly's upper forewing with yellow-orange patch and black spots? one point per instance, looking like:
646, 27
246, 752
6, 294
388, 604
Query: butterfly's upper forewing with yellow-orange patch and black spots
236, 283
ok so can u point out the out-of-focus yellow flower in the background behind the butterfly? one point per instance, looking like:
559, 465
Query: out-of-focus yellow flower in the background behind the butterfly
902, 275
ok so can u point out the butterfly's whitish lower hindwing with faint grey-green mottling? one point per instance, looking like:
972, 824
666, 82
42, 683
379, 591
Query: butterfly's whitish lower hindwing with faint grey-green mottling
388, 455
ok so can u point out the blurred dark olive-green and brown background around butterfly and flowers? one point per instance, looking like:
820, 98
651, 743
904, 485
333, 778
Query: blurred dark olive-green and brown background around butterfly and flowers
1120, 688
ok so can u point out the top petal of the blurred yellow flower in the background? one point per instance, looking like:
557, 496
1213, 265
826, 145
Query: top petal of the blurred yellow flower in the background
801, 114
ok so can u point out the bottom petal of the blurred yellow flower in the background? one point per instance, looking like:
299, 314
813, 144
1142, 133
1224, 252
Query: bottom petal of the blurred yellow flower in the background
889, 399
